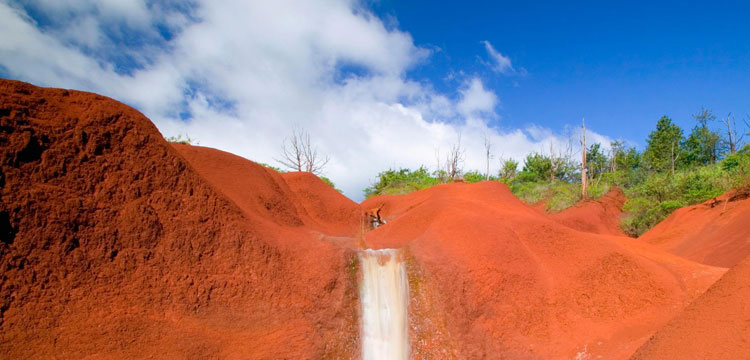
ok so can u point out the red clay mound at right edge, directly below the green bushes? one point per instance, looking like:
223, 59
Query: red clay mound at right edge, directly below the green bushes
713, 233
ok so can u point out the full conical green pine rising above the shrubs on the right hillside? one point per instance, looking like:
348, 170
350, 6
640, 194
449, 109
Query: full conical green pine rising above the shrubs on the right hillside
664, 146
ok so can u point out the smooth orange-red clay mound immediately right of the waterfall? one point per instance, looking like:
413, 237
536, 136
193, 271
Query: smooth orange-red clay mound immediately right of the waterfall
490, 277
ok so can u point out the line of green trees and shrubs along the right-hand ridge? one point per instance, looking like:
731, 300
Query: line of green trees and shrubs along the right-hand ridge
674, 170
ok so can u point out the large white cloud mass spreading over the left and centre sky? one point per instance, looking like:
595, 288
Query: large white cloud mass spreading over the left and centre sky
240, 75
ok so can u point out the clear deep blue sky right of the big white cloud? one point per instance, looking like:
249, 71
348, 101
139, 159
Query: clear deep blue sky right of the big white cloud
622, 66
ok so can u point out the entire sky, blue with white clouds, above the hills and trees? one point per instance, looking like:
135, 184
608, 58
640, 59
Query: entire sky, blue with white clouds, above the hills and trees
388, 84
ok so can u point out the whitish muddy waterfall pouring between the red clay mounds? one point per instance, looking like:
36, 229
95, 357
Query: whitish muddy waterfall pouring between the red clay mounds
384, 293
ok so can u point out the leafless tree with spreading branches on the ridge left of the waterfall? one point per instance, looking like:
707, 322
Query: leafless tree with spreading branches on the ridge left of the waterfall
299, 154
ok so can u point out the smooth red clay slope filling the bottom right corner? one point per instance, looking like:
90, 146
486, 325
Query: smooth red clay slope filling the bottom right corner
715, 326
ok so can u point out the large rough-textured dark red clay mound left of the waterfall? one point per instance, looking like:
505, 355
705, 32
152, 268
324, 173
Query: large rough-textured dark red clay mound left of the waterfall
113, 246
